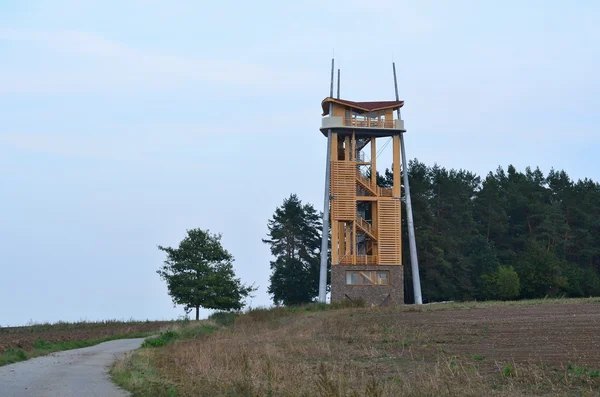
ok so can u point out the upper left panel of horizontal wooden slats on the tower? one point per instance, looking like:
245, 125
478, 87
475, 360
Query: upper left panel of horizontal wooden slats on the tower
343, 190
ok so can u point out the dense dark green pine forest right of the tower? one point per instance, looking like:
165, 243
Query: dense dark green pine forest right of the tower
473, 233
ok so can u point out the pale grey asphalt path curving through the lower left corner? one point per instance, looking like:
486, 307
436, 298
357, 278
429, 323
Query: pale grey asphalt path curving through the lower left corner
71, 373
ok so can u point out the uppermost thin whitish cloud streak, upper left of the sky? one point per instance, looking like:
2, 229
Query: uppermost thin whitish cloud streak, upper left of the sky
115, 66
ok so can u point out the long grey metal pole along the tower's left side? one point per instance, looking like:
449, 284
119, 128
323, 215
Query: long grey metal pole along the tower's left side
325, 233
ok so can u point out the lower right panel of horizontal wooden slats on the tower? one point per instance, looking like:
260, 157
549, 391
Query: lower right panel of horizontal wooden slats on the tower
389, 232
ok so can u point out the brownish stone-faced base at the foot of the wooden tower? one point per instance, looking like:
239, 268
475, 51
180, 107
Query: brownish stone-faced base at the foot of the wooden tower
378, 295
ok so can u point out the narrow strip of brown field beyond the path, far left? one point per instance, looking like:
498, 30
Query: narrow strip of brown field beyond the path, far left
25, 337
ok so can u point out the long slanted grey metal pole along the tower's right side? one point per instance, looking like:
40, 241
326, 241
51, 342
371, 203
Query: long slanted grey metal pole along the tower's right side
414, 261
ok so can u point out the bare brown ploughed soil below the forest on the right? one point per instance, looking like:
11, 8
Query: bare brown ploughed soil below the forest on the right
553, 334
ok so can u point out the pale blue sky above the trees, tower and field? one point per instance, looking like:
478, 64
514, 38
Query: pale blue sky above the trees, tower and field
123, 123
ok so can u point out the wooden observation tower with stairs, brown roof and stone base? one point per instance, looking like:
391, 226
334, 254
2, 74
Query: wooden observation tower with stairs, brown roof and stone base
366, 244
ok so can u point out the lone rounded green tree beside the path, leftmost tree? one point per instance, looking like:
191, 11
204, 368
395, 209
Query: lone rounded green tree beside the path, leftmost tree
199, 273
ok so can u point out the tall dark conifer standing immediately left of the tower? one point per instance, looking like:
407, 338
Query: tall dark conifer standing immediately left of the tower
295, 242
